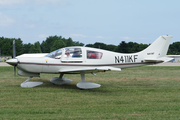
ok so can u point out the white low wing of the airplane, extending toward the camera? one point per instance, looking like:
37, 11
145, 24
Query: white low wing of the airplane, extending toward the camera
79, 69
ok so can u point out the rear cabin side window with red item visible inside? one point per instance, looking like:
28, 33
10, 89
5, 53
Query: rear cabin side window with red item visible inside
94, 55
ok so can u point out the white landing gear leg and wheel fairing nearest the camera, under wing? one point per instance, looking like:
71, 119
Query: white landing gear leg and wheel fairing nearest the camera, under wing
86, 85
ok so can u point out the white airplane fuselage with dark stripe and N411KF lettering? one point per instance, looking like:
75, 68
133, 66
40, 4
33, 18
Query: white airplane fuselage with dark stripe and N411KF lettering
80, 57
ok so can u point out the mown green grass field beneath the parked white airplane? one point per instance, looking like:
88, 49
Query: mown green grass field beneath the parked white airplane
136, 93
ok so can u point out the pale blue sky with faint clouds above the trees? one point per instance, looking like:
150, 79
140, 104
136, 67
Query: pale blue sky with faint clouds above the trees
90, 21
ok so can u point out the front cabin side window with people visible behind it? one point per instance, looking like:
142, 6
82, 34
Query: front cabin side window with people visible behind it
73, 52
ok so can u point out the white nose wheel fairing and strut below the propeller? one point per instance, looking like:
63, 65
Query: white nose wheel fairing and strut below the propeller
27, 84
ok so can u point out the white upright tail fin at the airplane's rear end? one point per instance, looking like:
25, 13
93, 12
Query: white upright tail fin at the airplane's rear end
157, 50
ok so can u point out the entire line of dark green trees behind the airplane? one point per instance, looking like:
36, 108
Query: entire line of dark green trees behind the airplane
56, 42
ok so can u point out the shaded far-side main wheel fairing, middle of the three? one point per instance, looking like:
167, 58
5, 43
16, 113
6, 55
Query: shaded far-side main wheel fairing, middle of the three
59, 80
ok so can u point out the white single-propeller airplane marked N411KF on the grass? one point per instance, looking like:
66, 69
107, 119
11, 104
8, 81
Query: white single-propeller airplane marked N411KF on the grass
83, 60
